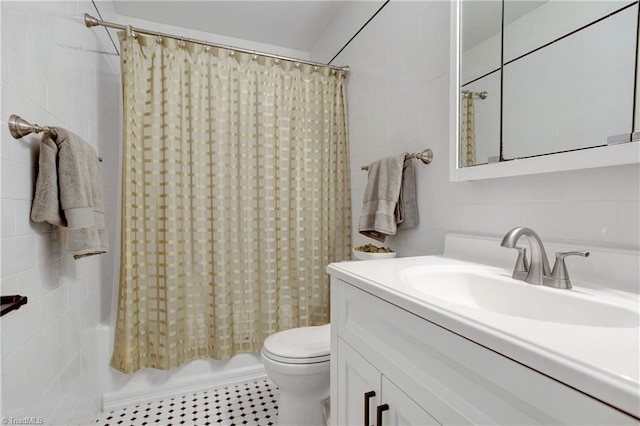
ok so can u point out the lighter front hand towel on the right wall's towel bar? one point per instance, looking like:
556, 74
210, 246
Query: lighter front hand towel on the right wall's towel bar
377, 218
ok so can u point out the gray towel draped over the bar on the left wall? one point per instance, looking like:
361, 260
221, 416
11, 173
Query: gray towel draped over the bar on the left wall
69, 193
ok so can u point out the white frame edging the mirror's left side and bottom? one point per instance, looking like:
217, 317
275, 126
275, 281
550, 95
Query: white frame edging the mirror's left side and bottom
611, 155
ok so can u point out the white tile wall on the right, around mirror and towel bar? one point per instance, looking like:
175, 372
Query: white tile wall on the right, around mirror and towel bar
405, 50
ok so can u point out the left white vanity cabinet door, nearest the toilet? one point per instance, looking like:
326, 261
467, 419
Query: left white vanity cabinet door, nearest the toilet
356, 379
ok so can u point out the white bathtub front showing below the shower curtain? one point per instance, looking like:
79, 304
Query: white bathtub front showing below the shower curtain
119, 389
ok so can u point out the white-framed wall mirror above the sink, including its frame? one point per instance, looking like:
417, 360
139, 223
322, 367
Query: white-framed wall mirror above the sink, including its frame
539, 82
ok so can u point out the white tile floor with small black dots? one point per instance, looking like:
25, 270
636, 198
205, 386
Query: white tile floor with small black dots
254, 403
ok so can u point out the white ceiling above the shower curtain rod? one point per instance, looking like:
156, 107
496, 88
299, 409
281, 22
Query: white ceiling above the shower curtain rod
291, 24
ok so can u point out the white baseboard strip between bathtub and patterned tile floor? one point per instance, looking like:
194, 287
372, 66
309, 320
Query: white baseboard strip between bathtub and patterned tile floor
115, 400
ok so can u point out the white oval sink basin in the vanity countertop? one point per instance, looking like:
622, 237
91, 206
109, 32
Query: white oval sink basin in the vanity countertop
492, 290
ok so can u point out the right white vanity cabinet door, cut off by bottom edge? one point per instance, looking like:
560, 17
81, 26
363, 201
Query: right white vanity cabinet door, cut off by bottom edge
403, 411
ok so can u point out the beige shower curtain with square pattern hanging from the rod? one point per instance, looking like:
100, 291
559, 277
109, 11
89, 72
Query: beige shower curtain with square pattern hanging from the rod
235, 197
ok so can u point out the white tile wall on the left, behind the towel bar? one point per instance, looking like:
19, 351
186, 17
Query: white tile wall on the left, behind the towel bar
55, 71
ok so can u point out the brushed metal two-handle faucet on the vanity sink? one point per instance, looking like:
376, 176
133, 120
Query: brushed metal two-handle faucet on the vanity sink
538, 271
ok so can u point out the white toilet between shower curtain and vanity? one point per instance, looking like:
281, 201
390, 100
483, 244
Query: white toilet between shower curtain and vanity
297, 361
